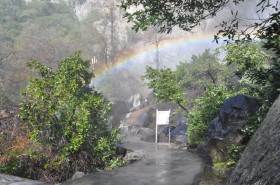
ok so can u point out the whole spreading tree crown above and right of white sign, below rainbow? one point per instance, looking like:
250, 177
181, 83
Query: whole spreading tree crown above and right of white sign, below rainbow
190, 79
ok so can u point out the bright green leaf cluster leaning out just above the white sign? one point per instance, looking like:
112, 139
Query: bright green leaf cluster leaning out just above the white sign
164, 85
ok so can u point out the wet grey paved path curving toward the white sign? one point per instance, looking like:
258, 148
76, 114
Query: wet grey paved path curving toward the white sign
163, 165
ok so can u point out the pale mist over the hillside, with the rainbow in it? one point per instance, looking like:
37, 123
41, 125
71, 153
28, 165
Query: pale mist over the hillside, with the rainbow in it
51, 31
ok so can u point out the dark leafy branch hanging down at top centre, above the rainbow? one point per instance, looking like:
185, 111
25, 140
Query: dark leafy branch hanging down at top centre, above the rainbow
167, 14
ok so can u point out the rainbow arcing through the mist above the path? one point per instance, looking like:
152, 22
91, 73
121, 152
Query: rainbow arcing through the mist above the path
136, 55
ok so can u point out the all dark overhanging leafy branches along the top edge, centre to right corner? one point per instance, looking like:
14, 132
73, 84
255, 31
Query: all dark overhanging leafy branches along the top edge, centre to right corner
188, 14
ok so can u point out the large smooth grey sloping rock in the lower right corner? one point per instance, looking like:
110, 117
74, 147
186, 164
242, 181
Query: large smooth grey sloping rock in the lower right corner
260, 162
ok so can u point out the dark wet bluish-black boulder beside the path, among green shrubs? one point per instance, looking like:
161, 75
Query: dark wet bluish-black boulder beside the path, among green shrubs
225, 129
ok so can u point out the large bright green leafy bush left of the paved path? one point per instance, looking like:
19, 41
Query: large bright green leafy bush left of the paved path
67, 118
